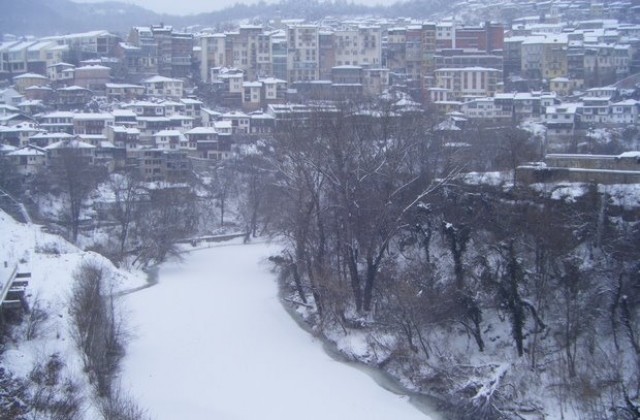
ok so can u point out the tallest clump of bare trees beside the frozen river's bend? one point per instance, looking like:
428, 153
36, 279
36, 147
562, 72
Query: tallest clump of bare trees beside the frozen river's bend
348, 178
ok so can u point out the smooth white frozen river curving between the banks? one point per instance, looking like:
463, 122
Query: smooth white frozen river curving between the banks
212, 341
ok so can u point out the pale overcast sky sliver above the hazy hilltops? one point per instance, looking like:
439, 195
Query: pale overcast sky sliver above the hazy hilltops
186, 7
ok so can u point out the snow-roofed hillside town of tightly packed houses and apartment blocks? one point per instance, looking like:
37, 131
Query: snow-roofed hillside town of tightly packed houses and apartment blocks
568, 65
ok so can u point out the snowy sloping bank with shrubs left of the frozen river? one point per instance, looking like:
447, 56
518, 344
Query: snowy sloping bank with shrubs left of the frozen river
52, 262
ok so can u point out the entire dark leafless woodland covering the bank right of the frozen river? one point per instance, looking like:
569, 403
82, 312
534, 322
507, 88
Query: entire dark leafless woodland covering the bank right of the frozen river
383, 236
